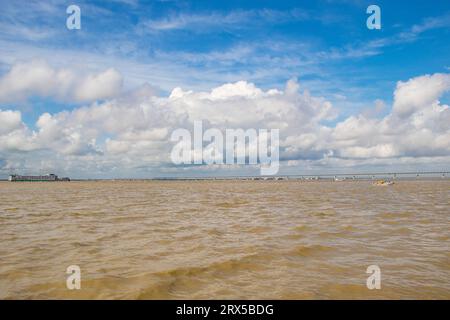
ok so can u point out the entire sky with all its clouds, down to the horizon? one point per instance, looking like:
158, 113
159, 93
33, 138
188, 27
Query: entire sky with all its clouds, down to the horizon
102, 101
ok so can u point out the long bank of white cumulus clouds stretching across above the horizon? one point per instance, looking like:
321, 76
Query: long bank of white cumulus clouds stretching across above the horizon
132, 132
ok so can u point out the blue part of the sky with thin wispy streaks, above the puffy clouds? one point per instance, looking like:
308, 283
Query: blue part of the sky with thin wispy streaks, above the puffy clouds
200, 45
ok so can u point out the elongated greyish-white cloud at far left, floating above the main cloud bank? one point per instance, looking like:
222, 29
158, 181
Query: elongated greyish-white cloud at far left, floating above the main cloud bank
37, 78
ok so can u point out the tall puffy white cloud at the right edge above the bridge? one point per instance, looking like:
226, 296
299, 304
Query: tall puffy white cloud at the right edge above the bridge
418, 125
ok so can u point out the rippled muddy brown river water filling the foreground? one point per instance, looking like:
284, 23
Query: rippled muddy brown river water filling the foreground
225, 239
